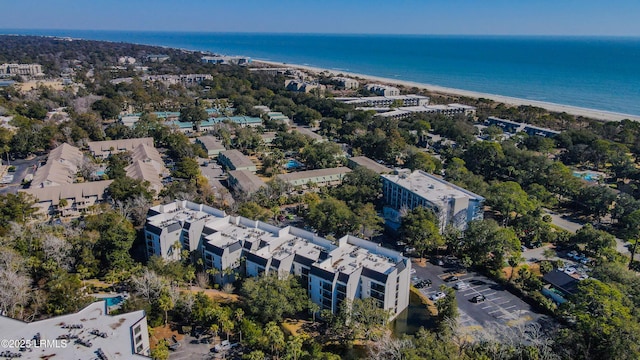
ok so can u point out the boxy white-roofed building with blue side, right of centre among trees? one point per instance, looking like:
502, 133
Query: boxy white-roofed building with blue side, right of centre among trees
453, 205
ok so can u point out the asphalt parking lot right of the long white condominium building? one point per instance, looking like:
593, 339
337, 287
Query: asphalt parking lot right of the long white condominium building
499, 305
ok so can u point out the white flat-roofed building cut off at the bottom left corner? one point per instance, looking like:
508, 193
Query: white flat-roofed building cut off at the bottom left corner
91, 333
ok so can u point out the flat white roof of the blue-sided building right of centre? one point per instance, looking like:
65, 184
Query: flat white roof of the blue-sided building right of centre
433, 189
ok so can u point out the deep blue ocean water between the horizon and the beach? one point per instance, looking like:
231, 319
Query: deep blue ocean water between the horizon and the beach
599, 73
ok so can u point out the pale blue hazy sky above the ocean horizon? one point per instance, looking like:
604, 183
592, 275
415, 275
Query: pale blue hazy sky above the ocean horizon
490, 17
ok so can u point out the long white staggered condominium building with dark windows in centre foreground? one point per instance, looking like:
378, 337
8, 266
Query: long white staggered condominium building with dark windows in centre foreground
331, 271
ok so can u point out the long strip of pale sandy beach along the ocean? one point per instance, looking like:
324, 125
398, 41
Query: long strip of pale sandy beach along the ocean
573, 110
